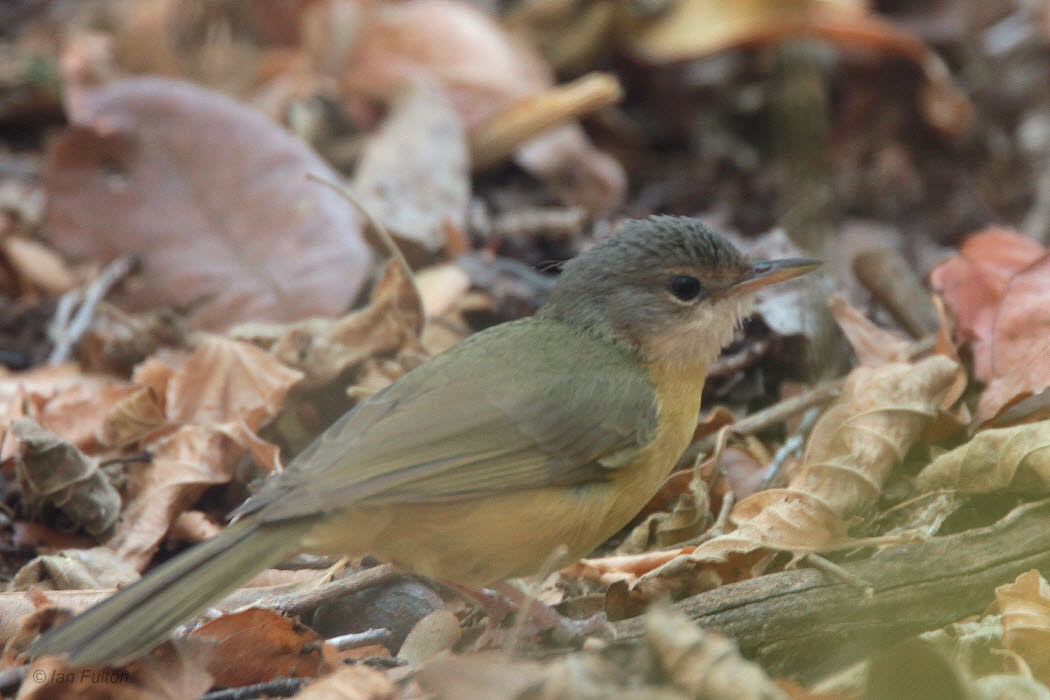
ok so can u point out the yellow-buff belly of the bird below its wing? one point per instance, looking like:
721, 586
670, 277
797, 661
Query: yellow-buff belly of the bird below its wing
502, 536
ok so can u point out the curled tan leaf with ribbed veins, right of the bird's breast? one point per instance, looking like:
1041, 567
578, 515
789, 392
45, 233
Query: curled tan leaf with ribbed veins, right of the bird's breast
852, 451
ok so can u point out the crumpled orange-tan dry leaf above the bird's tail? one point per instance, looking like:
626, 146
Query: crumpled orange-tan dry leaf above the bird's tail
216, 400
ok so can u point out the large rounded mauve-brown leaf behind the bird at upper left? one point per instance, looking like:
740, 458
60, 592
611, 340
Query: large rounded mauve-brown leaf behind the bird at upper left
213, 199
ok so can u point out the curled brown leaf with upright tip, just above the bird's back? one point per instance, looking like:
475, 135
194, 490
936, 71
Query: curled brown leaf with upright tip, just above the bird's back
324, 349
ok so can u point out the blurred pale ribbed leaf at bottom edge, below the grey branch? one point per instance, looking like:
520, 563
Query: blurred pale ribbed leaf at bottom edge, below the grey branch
705, 665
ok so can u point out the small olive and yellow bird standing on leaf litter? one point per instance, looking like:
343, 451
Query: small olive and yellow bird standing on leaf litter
537, 436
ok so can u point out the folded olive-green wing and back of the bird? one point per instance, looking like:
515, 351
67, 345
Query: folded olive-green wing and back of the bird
459, 432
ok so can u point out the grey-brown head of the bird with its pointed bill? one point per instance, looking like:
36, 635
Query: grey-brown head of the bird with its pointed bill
668, 287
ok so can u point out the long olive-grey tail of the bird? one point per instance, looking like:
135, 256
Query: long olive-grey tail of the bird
137, 619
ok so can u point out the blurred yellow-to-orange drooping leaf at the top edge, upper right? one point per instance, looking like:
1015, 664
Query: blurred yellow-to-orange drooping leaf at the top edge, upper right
696, 29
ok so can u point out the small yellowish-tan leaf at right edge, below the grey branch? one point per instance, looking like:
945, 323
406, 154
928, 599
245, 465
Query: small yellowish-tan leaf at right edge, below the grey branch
1025, 607
